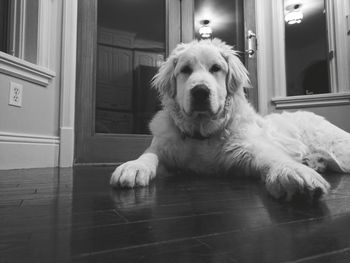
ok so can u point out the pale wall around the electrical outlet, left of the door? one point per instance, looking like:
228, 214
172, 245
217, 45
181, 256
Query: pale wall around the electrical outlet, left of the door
29, 136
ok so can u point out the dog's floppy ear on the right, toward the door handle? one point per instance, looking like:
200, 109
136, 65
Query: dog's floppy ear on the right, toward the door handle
237, 77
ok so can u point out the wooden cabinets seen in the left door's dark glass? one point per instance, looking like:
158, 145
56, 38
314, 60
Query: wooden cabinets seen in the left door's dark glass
125, 101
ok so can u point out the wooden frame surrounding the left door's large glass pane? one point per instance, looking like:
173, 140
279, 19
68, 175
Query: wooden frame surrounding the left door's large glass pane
91, 147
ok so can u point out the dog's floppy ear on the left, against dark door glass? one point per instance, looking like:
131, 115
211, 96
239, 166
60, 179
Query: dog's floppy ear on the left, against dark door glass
164, 81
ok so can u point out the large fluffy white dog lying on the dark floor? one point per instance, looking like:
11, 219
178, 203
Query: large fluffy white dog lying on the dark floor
207, 126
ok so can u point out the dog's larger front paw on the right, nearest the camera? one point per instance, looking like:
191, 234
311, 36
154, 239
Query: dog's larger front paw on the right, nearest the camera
287, 180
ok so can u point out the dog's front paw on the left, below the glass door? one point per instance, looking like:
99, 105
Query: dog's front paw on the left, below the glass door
131, 174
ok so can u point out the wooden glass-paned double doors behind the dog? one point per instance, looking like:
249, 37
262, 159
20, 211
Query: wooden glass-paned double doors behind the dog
120, 46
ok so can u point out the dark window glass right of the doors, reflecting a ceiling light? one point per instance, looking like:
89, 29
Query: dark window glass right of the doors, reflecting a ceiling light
306, 45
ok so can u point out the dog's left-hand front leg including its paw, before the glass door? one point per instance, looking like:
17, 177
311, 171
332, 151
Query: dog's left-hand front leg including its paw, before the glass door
138, 172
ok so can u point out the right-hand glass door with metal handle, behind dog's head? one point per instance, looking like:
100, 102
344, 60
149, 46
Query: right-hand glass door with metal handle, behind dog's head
233, 21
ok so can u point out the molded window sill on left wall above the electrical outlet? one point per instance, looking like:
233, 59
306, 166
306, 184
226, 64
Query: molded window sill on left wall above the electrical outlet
21, 69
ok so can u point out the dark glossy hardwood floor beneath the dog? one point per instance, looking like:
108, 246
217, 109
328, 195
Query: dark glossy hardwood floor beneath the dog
72, 215
